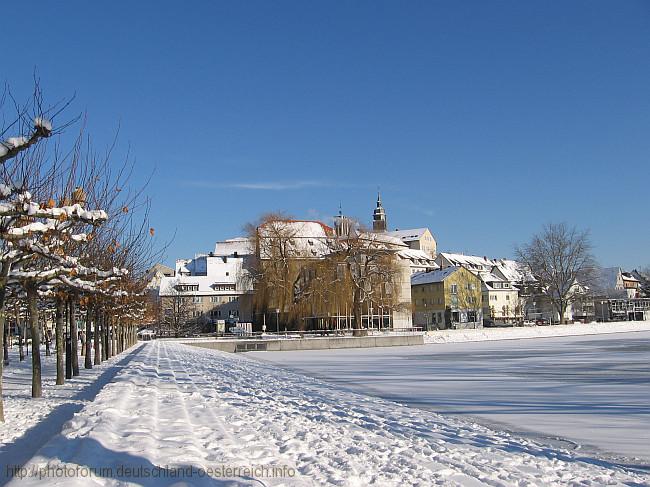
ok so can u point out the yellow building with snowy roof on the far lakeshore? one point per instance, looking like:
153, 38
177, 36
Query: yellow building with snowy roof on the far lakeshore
446, 298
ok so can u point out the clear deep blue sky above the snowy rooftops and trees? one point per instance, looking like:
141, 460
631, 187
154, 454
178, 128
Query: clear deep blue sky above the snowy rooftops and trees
481, 120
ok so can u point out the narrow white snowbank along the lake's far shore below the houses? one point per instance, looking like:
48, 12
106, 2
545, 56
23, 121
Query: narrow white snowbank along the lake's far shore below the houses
485, 334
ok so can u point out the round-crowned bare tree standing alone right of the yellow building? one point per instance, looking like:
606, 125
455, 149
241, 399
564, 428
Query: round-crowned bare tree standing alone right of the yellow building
560, 258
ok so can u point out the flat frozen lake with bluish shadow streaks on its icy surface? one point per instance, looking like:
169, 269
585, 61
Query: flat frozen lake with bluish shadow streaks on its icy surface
591, 391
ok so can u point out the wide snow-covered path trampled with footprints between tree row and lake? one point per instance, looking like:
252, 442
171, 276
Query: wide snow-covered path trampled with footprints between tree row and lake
177, 405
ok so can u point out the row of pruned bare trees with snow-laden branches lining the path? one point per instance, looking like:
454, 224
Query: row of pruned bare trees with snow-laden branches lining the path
74, 241
